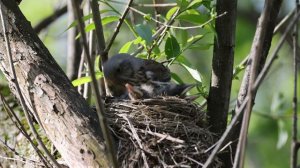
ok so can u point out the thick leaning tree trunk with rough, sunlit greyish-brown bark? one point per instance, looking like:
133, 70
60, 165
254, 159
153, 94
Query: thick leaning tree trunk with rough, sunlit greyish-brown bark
68, 121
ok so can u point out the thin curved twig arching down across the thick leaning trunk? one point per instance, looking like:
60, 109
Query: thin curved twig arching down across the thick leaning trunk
20, 95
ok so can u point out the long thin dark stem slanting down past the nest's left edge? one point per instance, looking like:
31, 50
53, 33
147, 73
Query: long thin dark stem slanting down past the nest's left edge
99, 102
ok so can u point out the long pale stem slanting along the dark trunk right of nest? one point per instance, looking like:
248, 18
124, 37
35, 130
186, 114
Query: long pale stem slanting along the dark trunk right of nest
257, 55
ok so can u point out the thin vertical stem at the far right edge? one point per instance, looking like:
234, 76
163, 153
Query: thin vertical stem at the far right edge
294, 144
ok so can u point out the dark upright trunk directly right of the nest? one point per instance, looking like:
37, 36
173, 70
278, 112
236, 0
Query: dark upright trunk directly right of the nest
222, 66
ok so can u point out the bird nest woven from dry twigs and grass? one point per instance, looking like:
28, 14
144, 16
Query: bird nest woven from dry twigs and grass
160, 132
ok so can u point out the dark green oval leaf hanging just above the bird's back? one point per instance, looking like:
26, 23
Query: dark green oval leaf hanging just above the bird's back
172, 48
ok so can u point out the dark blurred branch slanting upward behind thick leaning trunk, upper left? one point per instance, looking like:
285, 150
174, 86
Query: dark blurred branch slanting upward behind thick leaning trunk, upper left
50, 19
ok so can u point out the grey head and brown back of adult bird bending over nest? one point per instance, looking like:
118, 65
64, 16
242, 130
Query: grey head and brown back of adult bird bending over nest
124, 68
